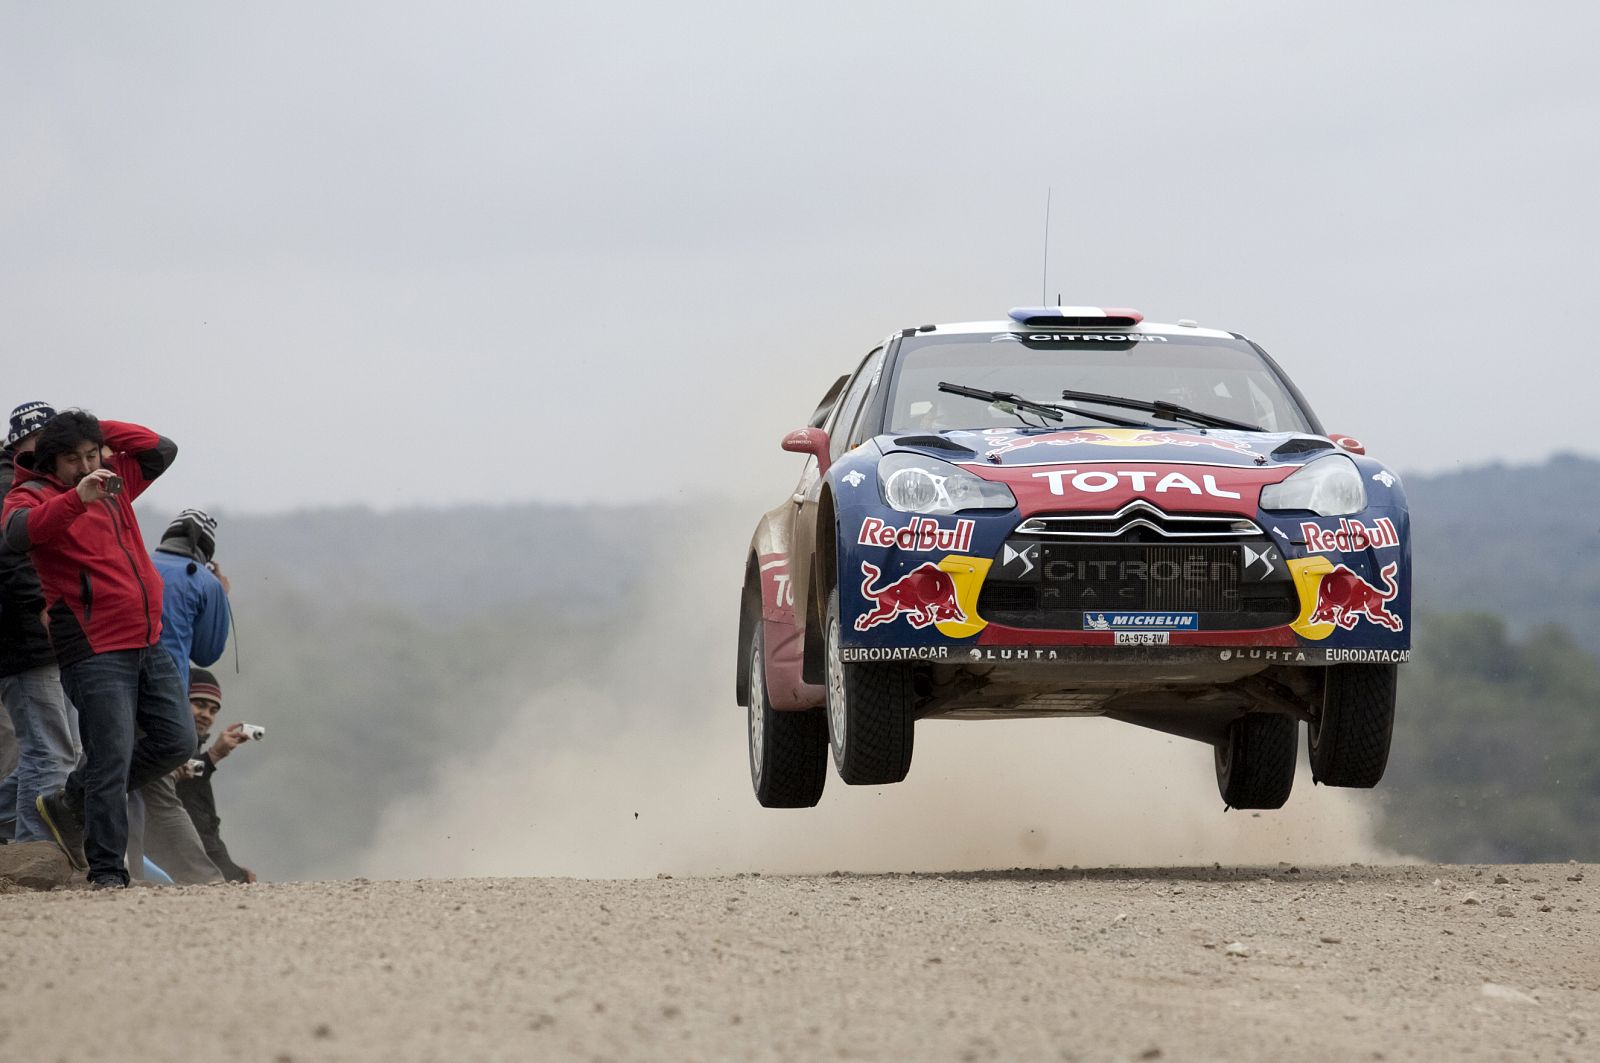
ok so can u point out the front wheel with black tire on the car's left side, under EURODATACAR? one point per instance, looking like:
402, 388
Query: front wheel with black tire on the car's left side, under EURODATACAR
870, 713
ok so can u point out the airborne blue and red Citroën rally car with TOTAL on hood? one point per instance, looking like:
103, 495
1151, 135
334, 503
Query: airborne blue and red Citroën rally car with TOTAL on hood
1076, 513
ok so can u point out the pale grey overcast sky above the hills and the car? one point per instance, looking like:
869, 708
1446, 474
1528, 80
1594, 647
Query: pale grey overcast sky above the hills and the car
401, 254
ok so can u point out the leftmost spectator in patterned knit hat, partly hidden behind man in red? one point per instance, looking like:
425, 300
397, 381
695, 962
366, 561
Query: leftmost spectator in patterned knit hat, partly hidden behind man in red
46, 724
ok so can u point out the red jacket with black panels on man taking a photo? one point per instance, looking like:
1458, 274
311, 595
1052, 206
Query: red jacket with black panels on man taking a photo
102, 592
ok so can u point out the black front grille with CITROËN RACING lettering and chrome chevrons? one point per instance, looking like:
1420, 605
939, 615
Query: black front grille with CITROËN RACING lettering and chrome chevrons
1126, 563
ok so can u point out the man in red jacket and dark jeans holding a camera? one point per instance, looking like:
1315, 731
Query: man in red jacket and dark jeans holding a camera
103, 609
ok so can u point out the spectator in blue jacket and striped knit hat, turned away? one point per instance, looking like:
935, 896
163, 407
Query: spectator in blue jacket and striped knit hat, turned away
194, 627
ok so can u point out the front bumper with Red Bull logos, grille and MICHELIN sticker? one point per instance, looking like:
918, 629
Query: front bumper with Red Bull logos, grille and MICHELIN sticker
1282, 598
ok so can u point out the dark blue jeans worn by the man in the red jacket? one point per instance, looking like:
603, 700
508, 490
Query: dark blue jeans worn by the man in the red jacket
137, 728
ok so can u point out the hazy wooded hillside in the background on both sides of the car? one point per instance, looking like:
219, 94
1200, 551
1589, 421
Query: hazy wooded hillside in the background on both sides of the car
385, 652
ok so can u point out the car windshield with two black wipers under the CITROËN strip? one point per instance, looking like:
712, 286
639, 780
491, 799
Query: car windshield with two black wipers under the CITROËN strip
1223, 377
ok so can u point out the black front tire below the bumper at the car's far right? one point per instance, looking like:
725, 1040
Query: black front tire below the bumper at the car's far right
1350, 737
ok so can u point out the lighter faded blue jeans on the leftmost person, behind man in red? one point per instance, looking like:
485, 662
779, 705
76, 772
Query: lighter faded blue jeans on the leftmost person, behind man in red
47, 744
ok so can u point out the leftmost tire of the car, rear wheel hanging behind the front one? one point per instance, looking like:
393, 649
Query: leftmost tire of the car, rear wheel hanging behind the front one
788, 750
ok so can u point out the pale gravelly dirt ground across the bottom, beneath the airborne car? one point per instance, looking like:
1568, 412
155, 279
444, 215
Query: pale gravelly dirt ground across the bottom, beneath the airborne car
1350, 963
